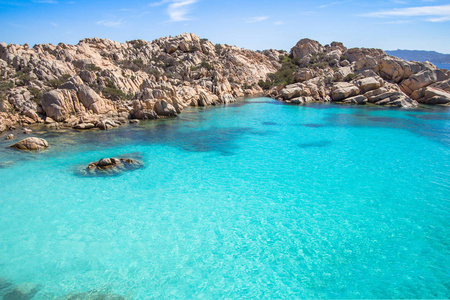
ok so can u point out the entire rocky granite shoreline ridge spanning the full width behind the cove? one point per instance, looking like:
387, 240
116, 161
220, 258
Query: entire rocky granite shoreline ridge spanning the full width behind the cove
102, 83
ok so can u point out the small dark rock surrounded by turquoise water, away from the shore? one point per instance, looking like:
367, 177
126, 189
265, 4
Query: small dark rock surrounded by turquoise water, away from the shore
111, 166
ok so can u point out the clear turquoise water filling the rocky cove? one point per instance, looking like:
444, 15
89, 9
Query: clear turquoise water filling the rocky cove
253, 200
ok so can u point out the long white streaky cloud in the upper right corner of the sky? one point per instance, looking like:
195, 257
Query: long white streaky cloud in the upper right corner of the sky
439, 13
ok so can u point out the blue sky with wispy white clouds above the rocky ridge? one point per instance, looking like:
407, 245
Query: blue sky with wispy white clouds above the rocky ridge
251, 24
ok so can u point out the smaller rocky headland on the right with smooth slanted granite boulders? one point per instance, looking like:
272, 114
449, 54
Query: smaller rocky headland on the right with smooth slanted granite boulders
358, 76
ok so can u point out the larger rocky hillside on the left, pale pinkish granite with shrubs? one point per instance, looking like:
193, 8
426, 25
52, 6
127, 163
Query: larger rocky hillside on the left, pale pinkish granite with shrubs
102, 83
